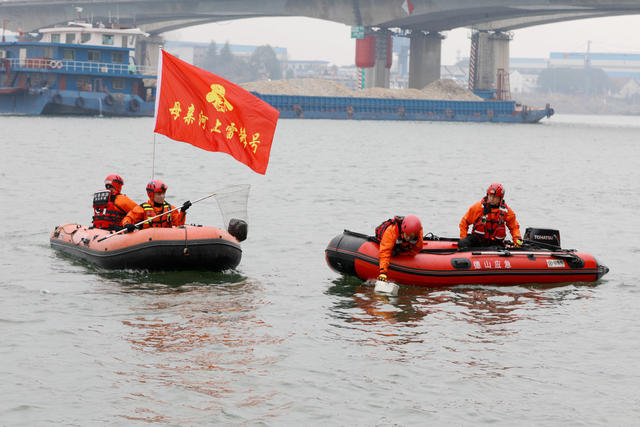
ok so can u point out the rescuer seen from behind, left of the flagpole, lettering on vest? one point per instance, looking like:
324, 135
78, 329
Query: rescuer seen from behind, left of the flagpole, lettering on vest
110, 206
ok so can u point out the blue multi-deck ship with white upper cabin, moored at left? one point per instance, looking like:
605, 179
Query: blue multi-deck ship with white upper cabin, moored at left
77, 69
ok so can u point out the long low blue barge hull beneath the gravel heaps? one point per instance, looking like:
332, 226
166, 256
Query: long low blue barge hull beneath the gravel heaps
354, 108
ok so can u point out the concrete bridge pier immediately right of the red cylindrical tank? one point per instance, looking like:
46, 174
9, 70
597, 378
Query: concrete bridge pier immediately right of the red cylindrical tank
425, 54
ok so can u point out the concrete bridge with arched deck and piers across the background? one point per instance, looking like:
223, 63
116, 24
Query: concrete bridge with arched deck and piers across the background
491, 20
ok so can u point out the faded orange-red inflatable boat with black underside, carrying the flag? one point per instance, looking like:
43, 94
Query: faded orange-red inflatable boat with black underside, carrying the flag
180, 248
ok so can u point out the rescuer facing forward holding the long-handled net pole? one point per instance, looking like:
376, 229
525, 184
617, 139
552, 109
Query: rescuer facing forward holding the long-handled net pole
156, 205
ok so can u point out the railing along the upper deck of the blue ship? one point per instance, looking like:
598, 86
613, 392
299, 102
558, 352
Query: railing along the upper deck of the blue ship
66, 65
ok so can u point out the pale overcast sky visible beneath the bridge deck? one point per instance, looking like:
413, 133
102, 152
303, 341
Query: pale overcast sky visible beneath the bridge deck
306, 38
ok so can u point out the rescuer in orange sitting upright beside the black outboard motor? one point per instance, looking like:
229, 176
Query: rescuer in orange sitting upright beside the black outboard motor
488, 218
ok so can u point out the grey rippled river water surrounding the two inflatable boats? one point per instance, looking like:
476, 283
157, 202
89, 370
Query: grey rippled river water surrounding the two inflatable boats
283, 340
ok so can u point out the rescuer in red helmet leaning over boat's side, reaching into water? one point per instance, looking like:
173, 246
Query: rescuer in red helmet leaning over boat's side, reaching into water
398, 236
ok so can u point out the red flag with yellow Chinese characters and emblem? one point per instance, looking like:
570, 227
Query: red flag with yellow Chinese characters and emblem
205, 110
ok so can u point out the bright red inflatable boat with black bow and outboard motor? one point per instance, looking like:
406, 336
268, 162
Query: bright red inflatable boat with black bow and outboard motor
442, 264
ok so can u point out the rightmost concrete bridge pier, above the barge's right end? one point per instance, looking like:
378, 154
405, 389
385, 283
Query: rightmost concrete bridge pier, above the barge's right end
489, 53
